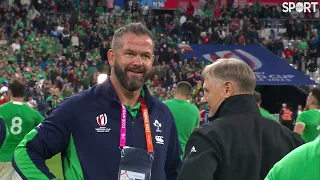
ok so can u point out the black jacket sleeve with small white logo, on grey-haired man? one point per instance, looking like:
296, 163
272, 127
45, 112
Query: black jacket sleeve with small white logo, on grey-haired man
201, 159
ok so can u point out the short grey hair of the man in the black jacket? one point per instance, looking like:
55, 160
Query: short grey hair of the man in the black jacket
233, 70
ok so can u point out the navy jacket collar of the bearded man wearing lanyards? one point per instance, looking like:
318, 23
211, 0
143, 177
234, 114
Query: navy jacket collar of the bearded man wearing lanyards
106, 91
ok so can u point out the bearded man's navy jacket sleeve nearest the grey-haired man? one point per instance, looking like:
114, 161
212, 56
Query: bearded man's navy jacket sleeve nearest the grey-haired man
173, 160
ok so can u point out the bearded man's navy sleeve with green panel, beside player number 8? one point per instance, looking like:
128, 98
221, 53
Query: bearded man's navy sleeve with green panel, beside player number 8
46, 140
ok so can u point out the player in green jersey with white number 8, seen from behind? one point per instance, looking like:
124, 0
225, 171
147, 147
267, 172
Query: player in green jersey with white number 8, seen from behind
19, 119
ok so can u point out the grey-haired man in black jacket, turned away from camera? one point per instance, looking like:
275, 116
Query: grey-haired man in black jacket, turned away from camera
238, 142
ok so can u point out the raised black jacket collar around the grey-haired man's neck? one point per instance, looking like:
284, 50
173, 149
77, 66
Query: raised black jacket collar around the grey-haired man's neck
236, 104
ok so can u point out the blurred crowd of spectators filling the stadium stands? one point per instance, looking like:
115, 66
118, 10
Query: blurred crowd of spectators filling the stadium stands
59, 48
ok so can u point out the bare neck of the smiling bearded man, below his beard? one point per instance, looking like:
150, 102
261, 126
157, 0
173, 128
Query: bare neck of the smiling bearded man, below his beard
126, 97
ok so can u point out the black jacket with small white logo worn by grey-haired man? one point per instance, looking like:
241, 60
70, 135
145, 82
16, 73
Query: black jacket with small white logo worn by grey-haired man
238, 144
